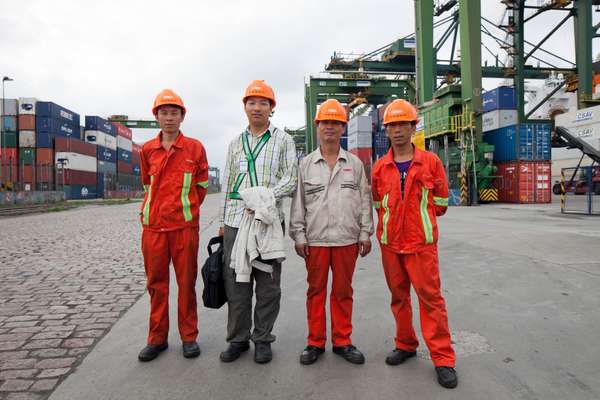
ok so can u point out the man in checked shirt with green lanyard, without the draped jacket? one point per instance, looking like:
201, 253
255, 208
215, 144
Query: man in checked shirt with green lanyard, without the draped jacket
262, 155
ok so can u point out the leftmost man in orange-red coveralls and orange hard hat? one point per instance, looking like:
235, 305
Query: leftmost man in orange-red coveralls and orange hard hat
175, 179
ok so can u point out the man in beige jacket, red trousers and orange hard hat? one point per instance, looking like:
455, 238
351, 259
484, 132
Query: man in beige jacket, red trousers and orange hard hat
331, 222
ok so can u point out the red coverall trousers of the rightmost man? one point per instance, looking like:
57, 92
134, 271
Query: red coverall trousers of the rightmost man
421, 270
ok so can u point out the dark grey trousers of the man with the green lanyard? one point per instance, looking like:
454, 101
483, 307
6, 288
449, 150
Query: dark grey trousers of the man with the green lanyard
239, 299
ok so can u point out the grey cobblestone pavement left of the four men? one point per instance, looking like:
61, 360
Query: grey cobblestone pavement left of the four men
65, 279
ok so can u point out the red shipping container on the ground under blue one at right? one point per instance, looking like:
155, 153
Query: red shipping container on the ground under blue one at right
524, 182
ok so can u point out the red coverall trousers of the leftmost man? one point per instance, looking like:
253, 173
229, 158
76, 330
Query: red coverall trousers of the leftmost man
159, 249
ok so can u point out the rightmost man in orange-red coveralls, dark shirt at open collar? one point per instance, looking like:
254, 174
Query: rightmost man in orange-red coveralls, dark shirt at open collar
409, 191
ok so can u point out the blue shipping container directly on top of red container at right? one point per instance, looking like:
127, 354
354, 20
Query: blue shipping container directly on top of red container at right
533, 142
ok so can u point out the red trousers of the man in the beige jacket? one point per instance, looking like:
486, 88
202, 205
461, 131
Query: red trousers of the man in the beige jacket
342, 261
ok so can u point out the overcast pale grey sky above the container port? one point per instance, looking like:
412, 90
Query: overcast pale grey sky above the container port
113, 57
